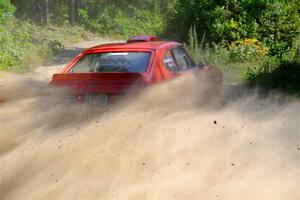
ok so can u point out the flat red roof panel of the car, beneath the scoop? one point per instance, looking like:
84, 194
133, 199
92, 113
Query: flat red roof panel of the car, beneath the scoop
154, 45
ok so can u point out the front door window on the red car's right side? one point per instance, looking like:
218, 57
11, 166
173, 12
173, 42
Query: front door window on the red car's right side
182, 59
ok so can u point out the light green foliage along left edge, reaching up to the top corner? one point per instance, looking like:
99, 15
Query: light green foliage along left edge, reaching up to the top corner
24, 45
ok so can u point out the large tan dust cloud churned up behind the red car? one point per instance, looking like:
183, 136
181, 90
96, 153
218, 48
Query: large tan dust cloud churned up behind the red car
171, 142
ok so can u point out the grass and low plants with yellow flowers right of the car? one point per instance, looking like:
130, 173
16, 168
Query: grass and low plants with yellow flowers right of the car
245, 66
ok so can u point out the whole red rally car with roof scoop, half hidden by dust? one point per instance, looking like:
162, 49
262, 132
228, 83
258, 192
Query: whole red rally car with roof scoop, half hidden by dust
101, 74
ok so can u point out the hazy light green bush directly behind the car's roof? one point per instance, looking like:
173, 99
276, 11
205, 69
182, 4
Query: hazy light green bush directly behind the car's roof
112, 20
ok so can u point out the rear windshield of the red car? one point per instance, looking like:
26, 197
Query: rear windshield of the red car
112, 62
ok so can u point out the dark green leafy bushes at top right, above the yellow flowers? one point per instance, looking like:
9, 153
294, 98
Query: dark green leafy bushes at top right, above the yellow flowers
274, 23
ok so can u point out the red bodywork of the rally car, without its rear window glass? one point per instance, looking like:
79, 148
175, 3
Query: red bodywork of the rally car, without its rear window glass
115, 83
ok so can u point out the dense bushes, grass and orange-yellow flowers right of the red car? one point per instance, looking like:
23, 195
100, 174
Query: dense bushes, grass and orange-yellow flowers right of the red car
254, 42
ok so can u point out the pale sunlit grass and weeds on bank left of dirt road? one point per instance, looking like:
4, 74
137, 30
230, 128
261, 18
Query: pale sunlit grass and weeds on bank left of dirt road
40, 44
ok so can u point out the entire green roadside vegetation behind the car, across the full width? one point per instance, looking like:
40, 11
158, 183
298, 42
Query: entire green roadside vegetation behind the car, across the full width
254, 41
